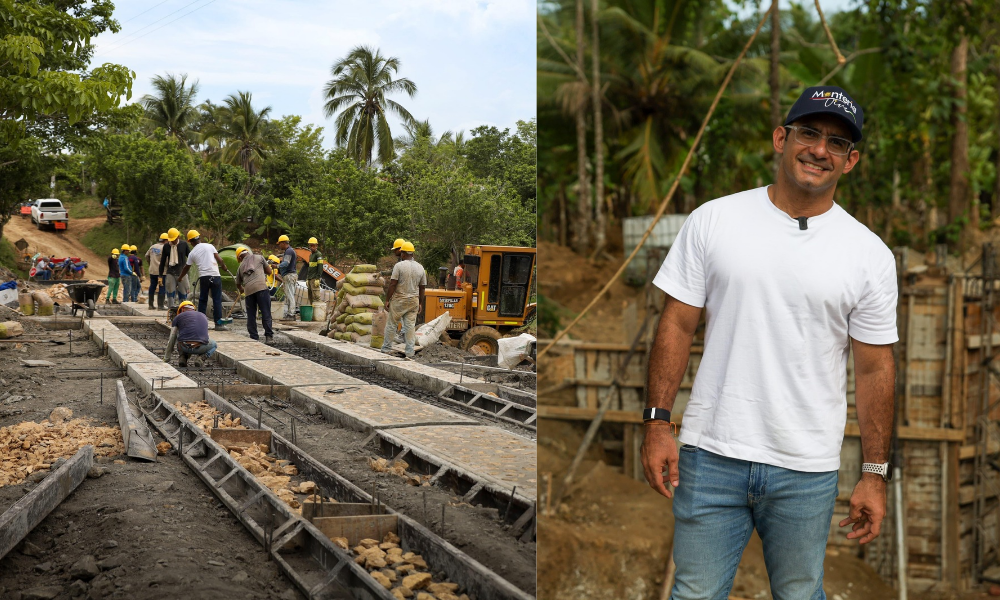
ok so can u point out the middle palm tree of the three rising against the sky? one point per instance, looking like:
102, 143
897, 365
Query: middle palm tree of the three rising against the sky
242, 134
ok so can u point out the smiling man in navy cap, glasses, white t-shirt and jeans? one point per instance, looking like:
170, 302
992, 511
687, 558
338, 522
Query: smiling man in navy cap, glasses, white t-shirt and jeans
790, 282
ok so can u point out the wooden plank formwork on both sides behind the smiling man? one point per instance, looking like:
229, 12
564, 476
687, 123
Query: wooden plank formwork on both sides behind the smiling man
939, 386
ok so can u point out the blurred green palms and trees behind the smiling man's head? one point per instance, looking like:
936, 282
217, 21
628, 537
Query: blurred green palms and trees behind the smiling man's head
623, 90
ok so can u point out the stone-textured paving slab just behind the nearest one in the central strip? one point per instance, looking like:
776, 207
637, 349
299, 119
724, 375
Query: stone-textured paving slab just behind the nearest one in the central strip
368, 407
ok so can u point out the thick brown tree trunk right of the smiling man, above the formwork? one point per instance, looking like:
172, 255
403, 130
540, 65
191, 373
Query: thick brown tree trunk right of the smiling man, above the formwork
958, 194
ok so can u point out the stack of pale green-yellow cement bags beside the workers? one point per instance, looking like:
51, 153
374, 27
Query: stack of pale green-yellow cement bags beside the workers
358, 299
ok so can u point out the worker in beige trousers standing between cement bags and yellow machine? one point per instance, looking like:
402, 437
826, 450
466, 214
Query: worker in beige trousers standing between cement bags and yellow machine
404, 299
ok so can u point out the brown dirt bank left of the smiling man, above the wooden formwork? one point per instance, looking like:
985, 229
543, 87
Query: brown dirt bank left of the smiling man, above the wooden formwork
572, 281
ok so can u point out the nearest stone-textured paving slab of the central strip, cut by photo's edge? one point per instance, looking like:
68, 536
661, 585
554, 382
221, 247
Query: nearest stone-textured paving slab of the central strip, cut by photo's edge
487, 453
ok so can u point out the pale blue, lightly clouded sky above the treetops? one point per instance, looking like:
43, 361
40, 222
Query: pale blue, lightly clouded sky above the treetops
473, 61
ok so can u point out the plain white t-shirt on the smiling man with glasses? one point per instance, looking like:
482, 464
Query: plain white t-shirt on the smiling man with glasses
780, 304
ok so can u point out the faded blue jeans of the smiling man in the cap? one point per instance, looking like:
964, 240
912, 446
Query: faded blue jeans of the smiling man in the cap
719, 503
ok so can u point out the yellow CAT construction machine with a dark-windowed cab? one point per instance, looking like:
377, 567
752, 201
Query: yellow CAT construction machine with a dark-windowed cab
490, 298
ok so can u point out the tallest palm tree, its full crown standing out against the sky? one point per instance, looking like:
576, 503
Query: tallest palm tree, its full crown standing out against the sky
361, 81
